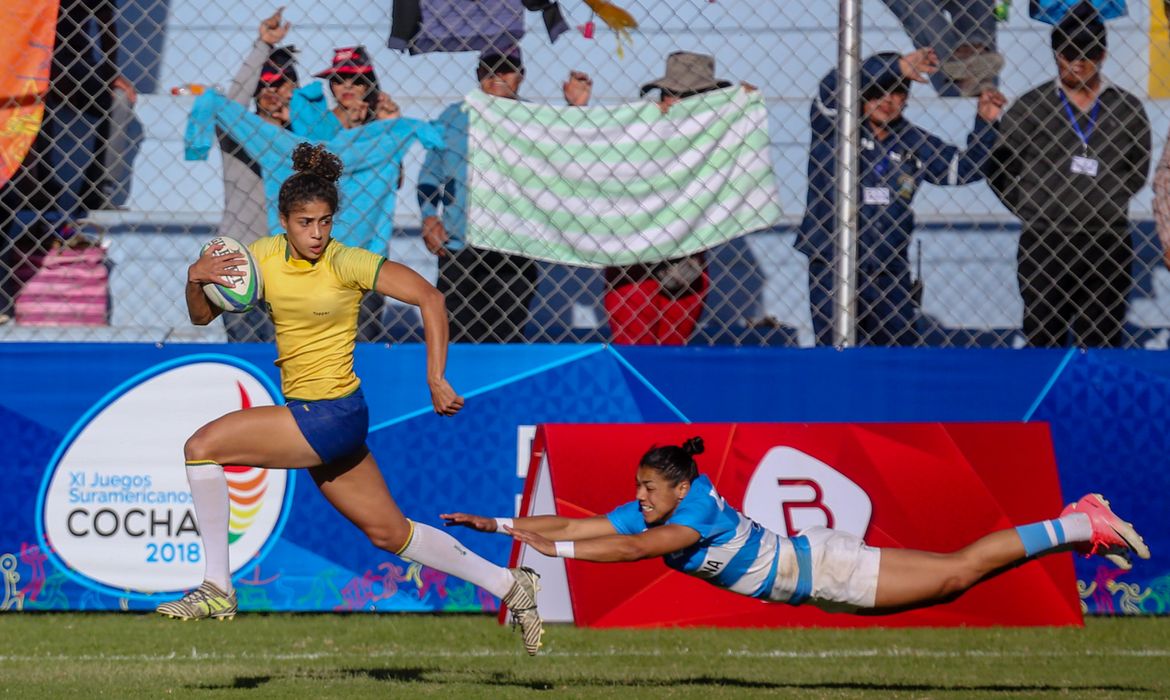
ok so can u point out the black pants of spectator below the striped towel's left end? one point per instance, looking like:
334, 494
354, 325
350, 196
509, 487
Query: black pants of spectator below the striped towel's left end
487, 294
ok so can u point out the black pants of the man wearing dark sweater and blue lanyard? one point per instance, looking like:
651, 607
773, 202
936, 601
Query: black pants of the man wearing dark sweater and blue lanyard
1076, 284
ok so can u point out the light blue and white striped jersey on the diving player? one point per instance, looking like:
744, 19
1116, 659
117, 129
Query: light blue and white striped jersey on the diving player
733, 551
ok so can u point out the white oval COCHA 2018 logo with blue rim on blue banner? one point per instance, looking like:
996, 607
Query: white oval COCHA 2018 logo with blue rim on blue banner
115, 506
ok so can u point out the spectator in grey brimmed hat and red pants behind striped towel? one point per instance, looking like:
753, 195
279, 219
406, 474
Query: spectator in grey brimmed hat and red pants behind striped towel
660, 304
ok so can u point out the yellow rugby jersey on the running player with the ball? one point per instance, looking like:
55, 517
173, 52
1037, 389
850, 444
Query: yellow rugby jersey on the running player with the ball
314, 307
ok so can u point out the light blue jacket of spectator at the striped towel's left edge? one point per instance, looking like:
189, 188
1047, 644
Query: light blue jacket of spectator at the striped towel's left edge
443, 180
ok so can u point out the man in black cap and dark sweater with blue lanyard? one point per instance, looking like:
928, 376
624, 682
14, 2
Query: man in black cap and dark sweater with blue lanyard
1072, 154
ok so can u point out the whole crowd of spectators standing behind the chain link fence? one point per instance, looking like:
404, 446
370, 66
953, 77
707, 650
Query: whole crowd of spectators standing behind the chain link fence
1065, 159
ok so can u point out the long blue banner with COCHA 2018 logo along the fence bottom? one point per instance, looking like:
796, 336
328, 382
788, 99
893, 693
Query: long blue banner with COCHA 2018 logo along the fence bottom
97, 512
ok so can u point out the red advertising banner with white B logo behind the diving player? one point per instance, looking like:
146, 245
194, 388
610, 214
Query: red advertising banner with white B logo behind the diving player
935, 488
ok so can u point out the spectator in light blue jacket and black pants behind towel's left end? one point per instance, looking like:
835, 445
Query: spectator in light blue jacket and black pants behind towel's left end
488, 293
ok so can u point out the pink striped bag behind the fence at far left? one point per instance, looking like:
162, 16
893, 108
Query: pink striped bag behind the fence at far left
72, 289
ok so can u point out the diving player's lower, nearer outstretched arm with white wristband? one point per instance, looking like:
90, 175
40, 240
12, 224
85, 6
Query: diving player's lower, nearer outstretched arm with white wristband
652, 544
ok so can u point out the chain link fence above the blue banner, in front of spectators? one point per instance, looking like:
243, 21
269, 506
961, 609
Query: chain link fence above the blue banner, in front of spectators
1007, 167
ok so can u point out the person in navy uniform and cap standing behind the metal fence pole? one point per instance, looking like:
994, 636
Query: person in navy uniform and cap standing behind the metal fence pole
896, 159
